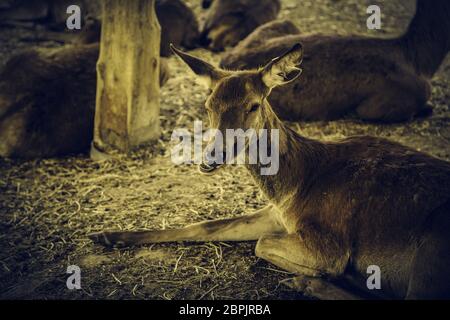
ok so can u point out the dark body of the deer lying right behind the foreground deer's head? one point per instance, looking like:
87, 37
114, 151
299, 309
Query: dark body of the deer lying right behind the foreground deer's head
380, 88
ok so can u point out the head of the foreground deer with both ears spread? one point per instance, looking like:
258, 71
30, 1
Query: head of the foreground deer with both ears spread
238, 99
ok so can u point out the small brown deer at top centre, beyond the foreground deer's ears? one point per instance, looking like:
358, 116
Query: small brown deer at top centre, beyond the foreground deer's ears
228, 22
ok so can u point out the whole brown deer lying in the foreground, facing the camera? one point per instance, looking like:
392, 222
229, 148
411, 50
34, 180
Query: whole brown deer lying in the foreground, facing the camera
336, 208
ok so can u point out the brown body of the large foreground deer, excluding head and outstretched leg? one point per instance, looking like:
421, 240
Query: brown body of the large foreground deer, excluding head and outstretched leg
355, 203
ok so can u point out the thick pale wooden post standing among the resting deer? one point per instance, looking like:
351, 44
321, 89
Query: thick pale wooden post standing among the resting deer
127, 103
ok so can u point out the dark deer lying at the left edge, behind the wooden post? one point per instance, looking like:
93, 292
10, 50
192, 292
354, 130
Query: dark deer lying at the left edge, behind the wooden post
47, 101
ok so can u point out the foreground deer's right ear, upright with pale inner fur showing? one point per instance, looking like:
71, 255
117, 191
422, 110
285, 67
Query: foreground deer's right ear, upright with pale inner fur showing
283, 69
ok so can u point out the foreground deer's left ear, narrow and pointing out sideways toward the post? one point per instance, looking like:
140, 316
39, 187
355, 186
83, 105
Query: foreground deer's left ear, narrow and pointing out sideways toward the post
201, 68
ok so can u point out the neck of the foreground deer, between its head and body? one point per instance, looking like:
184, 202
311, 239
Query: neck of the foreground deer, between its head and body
299, 158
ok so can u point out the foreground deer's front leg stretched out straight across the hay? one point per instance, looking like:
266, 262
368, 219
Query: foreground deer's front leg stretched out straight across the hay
243, 228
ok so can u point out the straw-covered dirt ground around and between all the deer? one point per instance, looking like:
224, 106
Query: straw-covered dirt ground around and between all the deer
47, 207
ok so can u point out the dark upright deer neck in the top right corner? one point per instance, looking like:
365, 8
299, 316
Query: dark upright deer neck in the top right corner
427, 41
